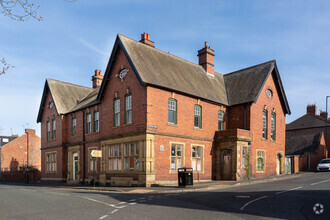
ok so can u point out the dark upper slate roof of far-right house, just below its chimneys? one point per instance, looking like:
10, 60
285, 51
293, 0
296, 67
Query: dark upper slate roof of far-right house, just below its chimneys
307, 121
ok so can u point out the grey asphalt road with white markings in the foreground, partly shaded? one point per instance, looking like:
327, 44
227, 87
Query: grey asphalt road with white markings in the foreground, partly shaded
304, 197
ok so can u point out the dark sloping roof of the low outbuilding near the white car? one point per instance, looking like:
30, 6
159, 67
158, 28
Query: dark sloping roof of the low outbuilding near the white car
299, 144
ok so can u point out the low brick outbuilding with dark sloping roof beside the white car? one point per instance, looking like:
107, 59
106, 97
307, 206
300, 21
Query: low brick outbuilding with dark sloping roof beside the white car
305, 151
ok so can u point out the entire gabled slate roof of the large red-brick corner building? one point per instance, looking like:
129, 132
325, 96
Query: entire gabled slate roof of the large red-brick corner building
160, 69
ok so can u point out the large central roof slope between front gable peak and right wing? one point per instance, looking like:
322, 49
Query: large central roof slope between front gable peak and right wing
162, 69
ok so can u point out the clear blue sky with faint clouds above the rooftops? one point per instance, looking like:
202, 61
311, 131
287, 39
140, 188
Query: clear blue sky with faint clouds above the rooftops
74, 39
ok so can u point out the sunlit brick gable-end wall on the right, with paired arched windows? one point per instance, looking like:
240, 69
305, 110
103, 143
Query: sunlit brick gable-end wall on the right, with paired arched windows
272, 148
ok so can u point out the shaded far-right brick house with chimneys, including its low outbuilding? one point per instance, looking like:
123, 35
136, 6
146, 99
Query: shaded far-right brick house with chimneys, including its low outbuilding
306, 139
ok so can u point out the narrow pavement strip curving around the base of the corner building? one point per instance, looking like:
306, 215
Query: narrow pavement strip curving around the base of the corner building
198, 186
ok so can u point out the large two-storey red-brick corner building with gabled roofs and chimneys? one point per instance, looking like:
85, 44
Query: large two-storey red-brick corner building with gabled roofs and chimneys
153, 112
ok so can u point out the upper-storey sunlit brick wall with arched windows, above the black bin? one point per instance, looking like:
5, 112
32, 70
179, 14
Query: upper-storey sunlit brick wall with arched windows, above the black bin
158, 114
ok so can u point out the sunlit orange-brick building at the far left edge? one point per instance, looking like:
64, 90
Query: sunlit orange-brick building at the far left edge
21, 151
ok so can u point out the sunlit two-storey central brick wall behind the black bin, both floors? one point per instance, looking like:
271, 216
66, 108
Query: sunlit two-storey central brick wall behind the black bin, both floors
158, 116
